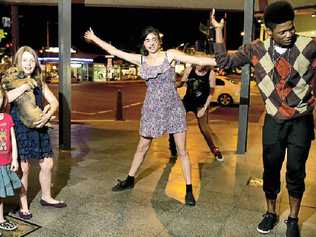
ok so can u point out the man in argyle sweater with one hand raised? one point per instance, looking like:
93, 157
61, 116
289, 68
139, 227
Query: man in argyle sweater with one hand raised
285, 70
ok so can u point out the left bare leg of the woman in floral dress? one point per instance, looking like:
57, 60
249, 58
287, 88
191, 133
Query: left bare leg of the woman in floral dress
139, 156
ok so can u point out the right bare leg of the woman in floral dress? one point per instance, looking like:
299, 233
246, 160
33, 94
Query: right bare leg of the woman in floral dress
180, 139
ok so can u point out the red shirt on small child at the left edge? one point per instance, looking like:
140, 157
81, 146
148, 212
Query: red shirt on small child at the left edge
6, 123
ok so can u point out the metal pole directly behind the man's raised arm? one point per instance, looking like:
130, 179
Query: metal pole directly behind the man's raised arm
245, 78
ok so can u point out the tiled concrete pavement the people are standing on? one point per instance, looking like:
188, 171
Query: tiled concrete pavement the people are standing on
226, 205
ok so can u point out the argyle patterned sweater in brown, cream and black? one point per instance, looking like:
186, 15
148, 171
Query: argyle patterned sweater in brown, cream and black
287, 82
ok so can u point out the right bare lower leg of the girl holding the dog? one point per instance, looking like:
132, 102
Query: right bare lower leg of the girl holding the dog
45, 177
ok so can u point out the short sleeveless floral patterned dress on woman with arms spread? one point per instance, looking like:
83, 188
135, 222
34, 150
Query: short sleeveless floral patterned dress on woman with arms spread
163, 111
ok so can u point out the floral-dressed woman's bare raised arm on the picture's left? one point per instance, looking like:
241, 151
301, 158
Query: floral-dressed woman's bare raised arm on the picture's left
91, 37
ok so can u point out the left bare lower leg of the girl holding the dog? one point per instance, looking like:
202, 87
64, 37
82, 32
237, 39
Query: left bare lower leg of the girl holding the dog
25, 167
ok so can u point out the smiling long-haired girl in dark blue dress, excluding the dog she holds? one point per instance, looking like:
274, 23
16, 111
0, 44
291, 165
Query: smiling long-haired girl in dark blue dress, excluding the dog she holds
33, 142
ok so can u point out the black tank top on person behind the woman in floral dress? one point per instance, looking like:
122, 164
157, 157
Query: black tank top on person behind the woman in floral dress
198, 88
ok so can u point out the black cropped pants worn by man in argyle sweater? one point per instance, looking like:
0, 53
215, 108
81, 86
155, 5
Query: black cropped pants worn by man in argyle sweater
295, 136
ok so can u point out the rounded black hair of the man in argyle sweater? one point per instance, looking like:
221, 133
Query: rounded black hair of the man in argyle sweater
277, 13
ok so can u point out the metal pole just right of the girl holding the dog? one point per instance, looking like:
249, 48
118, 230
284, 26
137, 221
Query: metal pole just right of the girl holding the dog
64, 42
